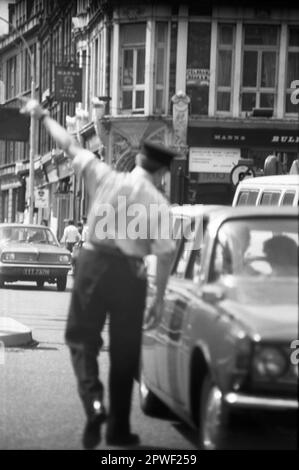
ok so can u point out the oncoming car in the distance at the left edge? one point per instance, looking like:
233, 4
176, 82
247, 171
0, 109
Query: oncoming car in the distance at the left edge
32, 253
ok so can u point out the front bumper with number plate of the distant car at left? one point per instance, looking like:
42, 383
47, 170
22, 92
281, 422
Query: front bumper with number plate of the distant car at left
32, 271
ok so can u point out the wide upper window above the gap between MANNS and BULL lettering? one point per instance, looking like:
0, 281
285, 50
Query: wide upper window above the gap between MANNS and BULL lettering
260, 57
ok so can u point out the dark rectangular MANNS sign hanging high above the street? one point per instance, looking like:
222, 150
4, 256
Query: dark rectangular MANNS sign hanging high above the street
68, 84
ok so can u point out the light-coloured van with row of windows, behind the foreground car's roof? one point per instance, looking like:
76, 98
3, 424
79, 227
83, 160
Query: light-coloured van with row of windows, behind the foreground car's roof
278, 190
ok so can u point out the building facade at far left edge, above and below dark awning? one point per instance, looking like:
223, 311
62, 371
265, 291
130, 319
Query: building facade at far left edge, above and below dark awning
15, 81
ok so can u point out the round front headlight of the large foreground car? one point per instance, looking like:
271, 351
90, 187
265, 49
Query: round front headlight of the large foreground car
269, 362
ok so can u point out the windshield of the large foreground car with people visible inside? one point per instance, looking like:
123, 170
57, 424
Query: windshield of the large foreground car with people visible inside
255, 247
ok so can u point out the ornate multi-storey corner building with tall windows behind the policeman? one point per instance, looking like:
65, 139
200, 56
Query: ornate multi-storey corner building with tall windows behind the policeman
213, 81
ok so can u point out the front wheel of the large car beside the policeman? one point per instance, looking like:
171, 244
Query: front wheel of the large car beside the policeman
213, 418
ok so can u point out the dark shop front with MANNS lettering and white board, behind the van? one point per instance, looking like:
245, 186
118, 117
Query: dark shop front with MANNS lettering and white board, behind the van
214, 150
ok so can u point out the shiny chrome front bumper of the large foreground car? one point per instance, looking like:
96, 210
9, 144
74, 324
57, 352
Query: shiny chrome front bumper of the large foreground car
236, 400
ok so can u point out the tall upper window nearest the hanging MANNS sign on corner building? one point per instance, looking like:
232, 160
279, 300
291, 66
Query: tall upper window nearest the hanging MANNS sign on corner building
132, 39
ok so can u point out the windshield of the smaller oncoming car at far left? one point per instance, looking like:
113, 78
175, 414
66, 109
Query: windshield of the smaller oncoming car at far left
23, 234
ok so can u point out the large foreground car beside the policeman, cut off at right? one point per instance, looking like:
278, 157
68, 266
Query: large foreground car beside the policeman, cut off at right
221, 349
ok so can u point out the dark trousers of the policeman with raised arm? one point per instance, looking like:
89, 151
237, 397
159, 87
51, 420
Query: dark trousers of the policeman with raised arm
107, 284
